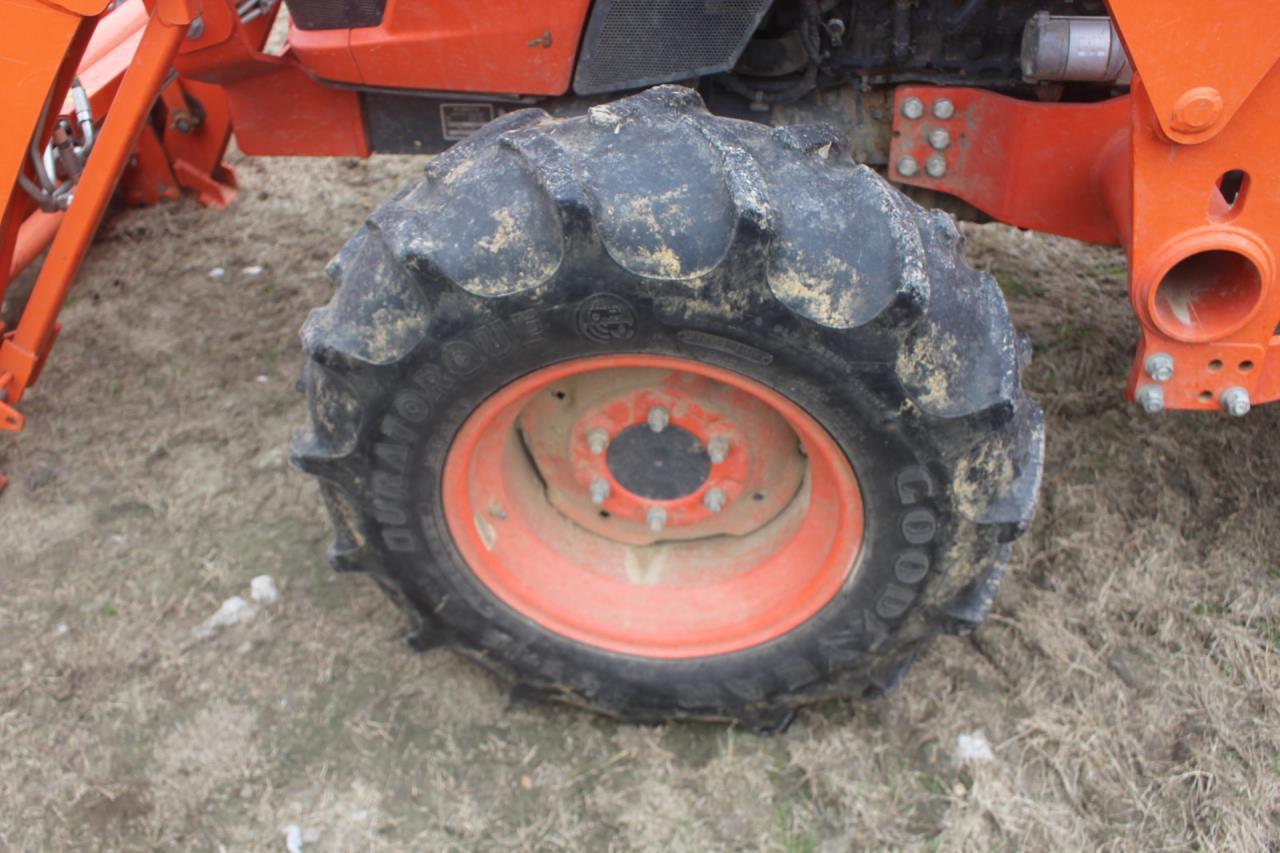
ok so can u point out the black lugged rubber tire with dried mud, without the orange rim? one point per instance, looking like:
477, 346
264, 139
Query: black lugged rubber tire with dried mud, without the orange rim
652, 227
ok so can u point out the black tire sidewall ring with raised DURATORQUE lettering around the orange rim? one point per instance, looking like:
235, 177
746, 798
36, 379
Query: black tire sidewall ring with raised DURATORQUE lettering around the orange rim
477, 346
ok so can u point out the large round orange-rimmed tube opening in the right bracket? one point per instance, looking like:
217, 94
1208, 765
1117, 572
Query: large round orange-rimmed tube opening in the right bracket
1206, 297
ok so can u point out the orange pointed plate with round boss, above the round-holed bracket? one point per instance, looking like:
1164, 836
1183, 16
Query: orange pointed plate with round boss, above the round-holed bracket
1200, 61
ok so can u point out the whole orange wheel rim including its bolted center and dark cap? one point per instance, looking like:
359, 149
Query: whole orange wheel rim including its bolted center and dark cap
653, 507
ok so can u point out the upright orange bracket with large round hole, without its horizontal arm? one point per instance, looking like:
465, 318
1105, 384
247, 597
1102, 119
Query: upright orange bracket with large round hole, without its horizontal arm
1219, 325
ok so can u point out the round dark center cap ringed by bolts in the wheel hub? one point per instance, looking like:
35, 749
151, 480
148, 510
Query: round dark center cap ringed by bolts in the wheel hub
660, 467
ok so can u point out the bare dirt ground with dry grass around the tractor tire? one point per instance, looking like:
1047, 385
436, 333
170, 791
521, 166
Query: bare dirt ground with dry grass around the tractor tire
1128, 682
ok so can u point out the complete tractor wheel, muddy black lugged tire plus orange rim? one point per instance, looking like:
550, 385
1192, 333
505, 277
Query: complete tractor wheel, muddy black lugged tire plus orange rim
486, 386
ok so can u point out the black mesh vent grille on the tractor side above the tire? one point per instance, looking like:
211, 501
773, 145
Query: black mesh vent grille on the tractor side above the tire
639, 43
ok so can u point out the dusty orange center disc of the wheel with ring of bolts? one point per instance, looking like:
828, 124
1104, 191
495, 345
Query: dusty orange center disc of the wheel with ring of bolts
643, 457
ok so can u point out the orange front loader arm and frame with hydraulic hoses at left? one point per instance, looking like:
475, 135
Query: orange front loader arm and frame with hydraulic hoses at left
124, 62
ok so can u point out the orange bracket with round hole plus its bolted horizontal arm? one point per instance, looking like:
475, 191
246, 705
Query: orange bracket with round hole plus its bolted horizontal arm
1204, 267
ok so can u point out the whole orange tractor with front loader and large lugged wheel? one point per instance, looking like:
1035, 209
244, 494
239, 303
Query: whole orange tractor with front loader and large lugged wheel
668, 391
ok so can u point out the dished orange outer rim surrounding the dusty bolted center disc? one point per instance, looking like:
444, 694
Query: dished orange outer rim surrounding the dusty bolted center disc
671, 600
